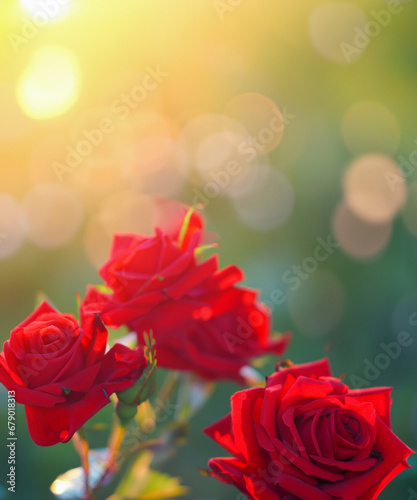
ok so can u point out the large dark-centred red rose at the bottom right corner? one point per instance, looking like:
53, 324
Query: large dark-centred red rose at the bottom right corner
306, 436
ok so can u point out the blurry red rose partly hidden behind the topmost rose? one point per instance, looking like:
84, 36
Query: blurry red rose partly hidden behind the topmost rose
213, 330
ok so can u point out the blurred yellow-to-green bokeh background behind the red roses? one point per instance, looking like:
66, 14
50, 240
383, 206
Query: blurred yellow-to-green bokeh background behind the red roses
186, 88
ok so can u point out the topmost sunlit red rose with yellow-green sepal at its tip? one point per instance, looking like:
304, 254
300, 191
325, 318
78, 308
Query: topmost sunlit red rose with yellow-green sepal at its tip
143, 271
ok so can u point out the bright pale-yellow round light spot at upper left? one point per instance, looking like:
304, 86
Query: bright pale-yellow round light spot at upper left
50, 84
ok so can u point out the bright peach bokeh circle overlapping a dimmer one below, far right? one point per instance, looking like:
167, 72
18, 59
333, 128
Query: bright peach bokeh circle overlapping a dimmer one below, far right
374, 188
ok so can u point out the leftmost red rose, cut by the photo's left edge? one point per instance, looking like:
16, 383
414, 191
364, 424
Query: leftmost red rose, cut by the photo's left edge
59, 370
